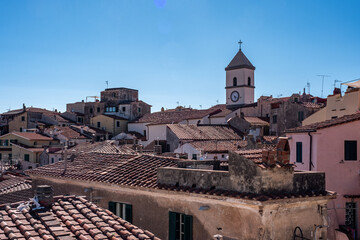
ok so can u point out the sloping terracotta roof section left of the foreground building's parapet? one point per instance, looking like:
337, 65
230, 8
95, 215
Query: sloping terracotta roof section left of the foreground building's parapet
131, 170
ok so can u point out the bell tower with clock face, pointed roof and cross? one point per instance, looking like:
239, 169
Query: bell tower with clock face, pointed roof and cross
240, 83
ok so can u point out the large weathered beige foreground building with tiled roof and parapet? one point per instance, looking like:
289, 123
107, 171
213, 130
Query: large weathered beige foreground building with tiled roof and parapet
250, 199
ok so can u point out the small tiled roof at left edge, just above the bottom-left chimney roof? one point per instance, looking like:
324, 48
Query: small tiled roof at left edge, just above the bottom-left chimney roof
14, 189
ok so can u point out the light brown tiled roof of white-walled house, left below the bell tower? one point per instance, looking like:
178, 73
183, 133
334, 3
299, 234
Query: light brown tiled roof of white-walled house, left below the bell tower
203, 132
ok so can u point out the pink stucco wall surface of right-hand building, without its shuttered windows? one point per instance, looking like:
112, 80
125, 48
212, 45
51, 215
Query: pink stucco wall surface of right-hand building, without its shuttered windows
328, 153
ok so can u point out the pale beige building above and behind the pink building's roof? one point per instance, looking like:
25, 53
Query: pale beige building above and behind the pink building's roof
337, 105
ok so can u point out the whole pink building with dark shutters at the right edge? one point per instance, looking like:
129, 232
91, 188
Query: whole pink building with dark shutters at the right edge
332, 147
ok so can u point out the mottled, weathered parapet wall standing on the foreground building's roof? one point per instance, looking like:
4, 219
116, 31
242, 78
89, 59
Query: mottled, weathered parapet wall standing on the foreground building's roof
246, 176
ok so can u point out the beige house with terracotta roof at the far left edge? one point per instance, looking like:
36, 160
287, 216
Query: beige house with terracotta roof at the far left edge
24, 148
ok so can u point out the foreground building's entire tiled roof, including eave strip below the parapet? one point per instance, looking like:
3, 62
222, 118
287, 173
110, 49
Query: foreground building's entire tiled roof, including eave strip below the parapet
138, 171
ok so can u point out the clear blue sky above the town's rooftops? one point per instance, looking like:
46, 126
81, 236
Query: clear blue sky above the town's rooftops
57, 52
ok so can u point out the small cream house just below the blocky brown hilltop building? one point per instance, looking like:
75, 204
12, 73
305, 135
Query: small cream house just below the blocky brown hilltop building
110, 123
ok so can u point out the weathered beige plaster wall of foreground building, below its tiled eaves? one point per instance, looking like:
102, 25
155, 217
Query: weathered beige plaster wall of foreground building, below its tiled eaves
239, 219
